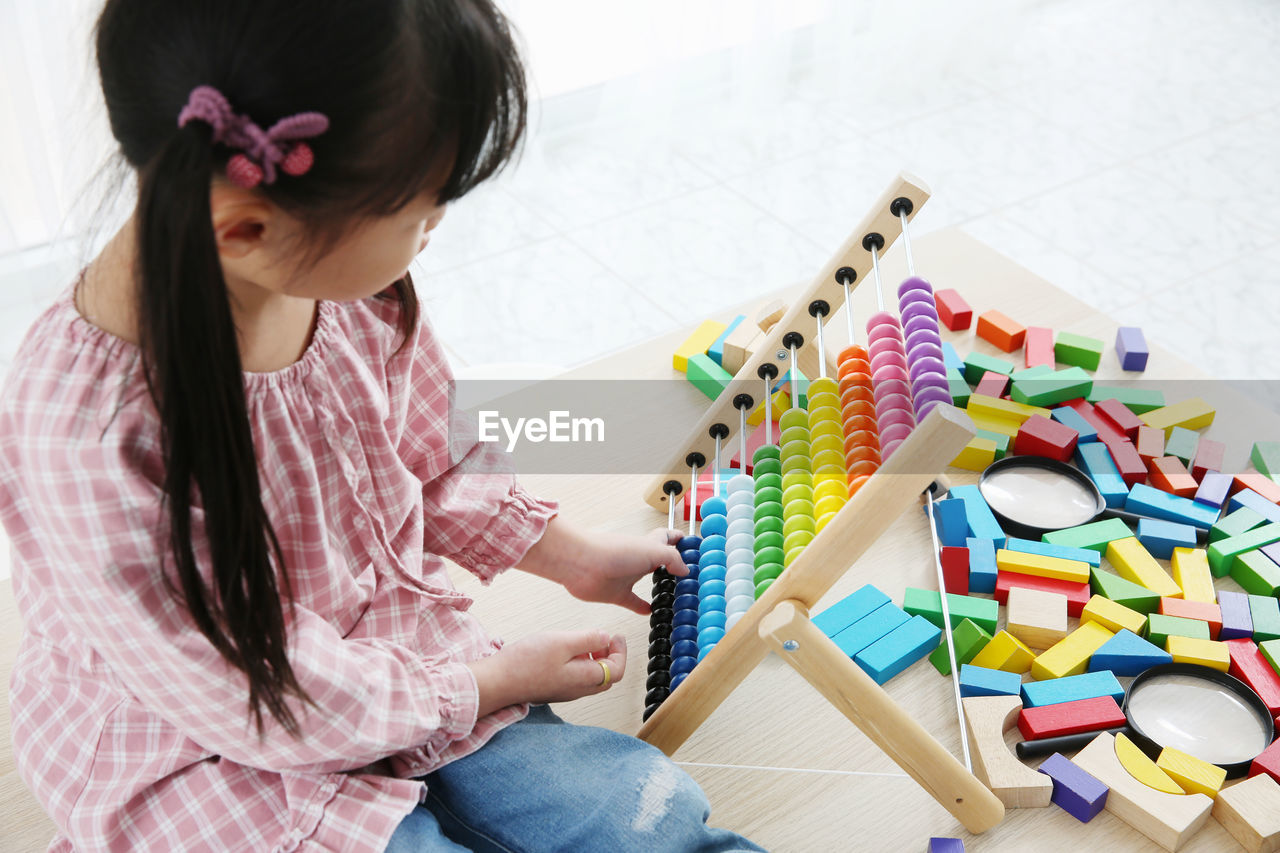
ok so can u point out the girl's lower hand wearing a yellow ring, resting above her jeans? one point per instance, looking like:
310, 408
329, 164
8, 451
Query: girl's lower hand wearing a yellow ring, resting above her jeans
555, 667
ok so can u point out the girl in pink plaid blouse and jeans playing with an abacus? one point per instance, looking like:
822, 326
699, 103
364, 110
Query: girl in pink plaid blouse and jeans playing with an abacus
228, 468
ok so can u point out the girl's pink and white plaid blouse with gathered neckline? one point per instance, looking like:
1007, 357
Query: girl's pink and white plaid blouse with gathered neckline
127, 724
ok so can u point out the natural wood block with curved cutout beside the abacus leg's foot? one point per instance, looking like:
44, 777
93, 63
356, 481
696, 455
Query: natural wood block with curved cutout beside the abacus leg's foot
988, 718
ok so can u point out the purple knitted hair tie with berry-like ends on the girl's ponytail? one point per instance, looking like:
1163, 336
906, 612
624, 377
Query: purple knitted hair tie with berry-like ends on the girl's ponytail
262, 152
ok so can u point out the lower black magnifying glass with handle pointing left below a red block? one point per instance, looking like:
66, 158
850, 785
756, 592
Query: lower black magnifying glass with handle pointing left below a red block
1195, 709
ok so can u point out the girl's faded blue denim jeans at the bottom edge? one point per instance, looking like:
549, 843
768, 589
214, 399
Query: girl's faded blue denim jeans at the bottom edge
543, 784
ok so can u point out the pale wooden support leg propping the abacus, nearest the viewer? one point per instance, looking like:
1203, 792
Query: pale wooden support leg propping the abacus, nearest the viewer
788, 631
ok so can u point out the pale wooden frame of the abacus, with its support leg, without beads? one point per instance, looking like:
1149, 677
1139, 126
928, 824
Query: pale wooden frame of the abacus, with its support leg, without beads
779, 621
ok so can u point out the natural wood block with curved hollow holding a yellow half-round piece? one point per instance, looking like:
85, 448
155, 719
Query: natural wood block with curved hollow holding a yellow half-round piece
1169, 820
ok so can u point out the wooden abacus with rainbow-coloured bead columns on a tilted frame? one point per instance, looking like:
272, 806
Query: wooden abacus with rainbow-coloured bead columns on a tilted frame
870, 445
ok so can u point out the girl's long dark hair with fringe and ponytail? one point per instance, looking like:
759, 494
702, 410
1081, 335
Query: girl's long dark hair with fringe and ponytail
417, 92
